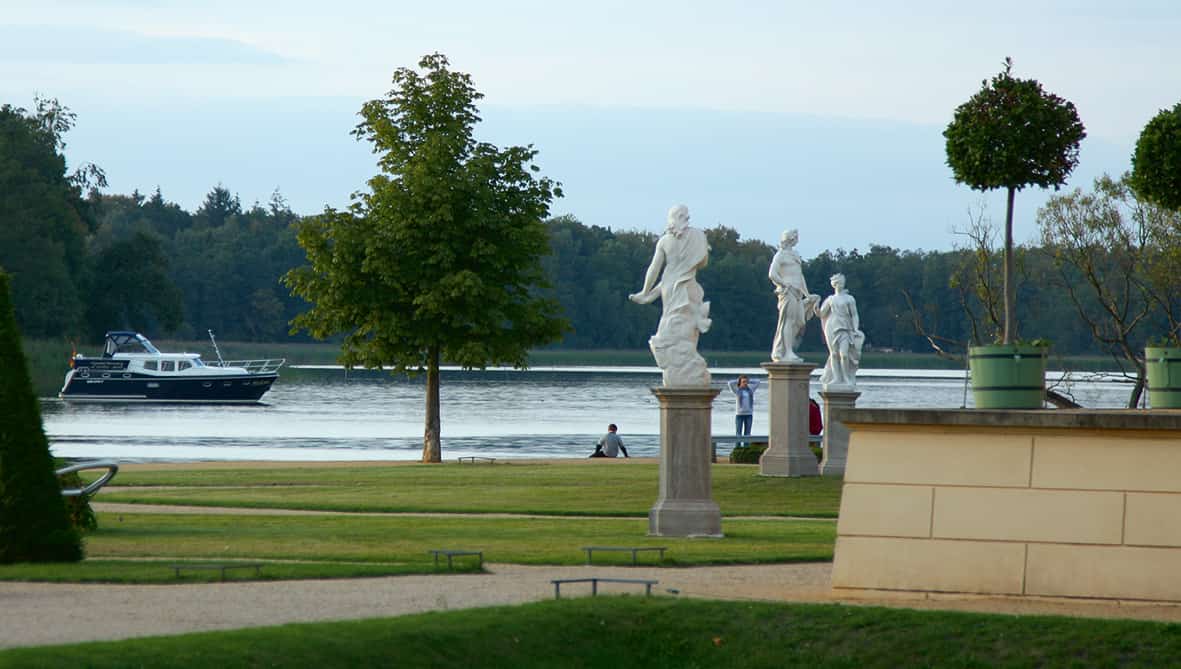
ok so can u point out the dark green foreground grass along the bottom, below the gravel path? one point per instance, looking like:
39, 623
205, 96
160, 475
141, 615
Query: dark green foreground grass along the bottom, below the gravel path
658, 633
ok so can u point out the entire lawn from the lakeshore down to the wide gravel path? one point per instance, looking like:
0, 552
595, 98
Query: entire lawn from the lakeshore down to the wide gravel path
573, 505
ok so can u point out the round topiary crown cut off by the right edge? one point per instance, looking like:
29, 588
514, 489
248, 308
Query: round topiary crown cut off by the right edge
1157, 163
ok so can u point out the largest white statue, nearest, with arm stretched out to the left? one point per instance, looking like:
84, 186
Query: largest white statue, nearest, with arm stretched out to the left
681, 251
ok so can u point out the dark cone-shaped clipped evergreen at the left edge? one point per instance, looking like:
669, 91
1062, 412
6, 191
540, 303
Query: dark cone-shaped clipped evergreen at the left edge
35, 527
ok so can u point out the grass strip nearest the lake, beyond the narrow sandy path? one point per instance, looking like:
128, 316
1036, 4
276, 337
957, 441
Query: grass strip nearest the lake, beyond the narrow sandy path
552, 489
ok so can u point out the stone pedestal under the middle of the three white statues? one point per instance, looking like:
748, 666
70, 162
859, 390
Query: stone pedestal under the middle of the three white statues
787, 451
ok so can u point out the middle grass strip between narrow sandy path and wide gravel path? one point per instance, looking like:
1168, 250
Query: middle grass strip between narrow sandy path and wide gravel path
407, 540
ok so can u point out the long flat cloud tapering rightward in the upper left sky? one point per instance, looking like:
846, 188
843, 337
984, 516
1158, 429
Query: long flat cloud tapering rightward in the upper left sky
102, 47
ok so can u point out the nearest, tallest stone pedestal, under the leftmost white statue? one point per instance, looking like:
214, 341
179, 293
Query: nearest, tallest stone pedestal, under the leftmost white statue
686, 508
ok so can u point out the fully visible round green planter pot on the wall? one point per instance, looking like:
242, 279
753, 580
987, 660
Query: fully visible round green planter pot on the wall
1008, 376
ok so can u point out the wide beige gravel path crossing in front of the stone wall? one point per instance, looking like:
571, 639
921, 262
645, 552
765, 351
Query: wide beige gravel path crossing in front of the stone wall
38, 614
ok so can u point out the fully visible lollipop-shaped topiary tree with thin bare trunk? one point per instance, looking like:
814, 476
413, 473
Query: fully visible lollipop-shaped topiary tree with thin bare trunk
1010, 135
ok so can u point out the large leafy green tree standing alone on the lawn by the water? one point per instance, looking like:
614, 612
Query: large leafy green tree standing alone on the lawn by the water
441, 259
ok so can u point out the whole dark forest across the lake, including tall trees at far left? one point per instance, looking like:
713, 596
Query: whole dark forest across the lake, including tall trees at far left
83, 263
